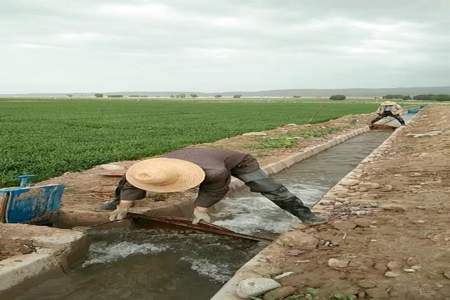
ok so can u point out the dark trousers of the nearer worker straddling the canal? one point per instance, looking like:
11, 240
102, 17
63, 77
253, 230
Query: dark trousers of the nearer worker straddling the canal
259, 182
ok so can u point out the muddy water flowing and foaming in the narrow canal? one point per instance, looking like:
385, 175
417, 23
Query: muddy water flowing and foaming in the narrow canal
139, 264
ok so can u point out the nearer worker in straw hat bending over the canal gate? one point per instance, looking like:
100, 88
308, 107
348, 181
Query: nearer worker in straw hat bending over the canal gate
211, 170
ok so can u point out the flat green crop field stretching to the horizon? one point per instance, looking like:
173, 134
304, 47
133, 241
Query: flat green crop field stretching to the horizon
48, 138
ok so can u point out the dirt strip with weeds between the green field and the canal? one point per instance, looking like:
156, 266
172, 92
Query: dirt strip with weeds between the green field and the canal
85, 190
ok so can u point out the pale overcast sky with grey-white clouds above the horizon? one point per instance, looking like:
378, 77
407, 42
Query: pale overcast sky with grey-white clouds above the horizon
221, 45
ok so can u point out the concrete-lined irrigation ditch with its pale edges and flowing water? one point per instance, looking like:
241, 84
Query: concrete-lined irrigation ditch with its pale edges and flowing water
159, 264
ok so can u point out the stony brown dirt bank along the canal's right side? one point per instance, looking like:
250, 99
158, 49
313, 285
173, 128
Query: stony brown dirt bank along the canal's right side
401, 249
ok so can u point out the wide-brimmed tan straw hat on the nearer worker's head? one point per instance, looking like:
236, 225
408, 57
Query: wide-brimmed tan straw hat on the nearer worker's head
165, 175
